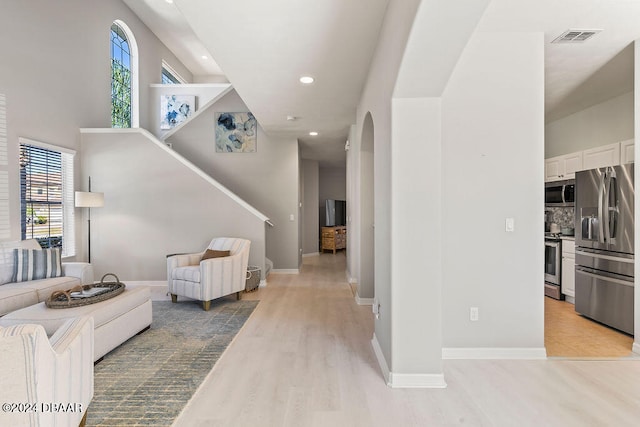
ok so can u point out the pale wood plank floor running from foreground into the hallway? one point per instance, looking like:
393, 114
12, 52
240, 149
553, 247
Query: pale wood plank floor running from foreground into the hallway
304, 358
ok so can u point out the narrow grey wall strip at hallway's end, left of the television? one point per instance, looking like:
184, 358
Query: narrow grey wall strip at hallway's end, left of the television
310, 219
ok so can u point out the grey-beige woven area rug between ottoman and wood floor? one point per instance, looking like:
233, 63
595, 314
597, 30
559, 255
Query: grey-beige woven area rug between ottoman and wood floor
151, 377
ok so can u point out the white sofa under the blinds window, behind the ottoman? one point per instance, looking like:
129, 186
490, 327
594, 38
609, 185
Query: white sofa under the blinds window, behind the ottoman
14, 296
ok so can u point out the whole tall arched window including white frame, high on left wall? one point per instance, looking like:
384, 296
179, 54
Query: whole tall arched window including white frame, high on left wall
124, 73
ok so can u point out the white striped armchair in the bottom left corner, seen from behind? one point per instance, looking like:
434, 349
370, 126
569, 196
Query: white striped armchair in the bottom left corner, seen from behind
46, 382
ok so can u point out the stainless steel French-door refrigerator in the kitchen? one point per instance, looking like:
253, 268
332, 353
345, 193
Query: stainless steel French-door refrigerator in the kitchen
604, 245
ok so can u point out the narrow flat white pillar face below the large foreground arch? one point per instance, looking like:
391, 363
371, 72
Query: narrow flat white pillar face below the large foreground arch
417, 242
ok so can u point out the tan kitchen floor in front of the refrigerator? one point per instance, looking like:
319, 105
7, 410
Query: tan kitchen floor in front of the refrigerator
568, 334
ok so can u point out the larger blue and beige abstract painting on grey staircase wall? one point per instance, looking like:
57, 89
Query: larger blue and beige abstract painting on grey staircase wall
236, 132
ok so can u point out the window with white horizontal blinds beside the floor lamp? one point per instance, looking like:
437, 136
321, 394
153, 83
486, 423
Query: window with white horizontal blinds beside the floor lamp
46, 195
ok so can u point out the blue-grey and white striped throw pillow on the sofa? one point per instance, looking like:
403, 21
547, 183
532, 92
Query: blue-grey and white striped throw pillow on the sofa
34, 264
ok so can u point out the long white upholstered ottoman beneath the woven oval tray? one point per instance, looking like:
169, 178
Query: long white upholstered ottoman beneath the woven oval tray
115, 320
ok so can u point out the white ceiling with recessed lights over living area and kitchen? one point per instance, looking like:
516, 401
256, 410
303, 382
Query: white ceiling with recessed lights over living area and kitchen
263, 47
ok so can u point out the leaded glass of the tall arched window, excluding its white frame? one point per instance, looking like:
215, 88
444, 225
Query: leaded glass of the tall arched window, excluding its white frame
120, 78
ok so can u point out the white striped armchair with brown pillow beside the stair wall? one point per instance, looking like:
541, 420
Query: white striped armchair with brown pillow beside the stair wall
190, 276
